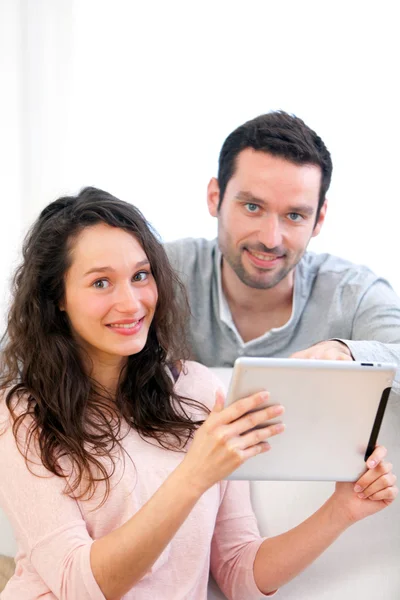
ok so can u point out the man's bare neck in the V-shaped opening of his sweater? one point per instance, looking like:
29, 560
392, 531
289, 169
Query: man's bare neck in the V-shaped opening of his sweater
256, 311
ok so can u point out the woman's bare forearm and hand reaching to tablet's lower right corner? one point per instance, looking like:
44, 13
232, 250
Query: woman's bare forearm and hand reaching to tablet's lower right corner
281, 558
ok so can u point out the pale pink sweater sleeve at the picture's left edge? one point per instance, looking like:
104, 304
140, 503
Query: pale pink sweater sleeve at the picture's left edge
48, 525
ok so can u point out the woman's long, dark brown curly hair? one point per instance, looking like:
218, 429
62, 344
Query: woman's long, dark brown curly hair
68, 414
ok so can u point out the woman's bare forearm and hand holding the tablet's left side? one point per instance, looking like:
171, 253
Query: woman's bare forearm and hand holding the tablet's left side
121, 558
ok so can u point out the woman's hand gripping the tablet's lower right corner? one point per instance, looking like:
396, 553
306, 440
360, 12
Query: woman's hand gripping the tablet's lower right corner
374, 490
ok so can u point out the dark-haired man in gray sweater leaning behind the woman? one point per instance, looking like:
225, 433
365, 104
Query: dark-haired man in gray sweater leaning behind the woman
256, 291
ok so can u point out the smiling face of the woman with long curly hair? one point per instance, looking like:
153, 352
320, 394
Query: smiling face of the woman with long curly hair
110, 294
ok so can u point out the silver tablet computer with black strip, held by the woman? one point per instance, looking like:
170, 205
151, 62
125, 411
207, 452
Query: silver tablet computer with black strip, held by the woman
333, 413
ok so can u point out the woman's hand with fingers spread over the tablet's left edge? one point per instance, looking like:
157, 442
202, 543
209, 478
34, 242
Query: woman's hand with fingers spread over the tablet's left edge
224, 441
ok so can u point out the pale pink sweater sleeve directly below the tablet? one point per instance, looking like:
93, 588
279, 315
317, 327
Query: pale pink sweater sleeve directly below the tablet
235, 543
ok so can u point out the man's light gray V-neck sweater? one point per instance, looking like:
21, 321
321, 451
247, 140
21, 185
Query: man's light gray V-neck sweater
333, 299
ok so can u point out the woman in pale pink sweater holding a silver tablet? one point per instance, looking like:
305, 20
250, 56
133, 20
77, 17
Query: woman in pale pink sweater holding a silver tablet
113, 459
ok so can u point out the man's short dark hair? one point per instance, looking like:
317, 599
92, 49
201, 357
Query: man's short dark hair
280, 134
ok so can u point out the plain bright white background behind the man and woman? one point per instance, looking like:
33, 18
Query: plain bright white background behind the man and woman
137, 98
